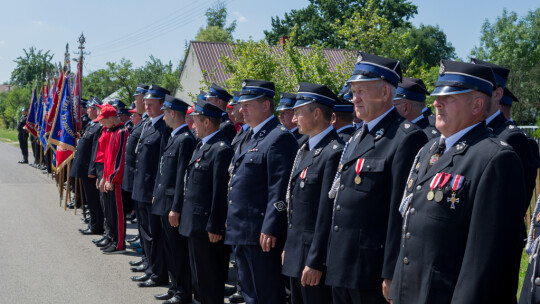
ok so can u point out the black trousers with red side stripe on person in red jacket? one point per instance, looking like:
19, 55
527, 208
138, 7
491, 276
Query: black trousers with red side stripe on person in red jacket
115, 216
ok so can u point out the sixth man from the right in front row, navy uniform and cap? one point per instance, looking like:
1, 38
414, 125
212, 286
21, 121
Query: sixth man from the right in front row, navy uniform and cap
169, 197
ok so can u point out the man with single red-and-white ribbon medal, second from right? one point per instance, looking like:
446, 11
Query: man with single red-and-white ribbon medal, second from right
366, 224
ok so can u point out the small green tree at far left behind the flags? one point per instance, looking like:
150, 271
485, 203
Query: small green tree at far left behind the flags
32, 67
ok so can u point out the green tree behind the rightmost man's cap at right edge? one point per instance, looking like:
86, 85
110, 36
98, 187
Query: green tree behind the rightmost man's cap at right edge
514, 43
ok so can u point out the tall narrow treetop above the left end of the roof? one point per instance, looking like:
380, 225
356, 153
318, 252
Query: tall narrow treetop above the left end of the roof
215, 31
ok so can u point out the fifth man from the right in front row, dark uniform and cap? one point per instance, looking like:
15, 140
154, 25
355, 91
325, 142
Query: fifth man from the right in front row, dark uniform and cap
205, 205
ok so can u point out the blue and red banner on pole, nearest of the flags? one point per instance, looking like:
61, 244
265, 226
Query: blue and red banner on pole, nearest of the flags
63, 130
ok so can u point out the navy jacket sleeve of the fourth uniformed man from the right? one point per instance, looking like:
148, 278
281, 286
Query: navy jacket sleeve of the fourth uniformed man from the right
279, 163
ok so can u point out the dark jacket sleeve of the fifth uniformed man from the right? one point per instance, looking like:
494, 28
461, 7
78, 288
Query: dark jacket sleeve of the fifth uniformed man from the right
218, 212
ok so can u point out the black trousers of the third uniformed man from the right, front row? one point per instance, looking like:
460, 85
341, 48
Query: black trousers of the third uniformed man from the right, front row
319, 294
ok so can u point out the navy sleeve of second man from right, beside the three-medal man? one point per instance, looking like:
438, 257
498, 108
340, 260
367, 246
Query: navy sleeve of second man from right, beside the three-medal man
401, 165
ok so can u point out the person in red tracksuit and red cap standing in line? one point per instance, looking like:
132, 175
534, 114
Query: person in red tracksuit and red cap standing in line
113, 171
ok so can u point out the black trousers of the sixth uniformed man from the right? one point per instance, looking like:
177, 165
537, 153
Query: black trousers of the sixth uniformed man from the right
177, 260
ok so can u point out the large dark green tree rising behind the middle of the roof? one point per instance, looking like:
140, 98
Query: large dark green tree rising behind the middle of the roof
312, 25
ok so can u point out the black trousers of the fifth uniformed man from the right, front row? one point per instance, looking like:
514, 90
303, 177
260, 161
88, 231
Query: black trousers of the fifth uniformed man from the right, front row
209, 268
